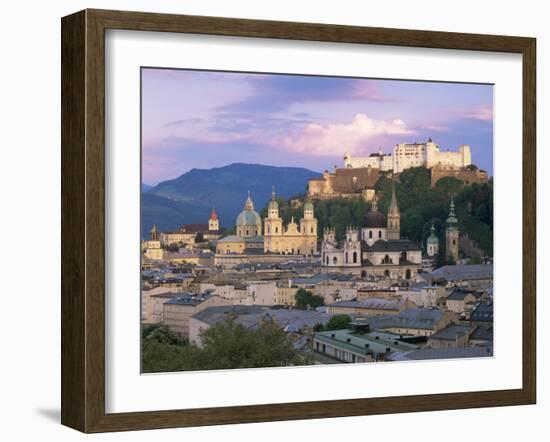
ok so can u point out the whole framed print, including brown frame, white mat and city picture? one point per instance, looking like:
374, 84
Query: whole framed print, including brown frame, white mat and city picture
267, 221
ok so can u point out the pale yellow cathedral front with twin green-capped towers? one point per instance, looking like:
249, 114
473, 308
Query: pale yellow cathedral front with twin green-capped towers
292, 240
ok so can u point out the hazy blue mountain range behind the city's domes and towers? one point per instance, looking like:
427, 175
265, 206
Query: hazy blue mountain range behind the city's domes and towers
191, 197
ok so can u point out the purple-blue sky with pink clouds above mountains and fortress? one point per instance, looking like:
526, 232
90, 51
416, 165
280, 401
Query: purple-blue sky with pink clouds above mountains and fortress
204, 119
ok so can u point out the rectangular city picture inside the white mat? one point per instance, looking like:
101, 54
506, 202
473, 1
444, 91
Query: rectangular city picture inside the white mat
291, 220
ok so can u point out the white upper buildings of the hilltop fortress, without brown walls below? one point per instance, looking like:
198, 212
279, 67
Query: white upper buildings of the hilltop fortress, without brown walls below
406, 155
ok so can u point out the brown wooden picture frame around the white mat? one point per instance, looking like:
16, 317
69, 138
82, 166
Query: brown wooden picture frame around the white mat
83, 220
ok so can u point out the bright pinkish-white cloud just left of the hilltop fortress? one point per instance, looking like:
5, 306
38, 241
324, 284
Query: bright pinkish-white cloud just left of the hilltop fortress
338, 138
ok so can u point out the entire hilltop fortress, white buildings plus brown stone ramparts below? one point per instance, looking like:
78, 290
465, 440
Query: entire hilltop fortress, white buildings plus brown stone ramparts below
359, 175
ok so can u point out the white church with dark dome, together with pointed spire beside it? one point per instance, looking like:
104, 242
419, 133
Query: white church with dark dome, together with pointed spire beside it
377, 249
